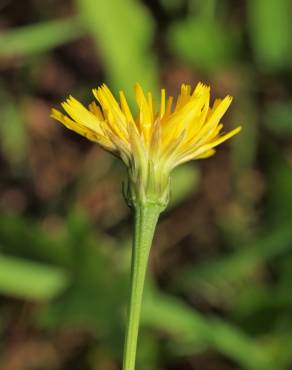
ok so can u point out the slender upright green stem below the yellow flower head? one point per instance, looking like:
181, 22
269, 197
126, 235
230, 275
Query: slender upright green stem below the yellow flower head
146, 218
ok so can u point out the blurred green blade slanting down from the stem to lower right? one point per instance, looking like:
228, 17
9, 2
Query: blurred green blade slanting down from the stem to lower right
190, 329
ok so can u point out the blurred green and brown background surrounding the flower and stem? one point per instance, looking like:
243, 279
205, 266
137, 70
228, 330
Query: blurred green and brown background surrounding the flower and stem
218, 294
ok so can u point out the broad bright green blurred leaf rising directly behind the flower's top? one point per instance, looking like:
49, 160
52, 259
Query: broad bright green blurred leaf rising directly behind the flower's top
123, 32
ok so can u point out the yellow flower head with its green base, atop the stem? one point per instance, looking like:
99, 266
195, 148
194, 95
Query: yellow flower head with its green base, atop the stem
157, 140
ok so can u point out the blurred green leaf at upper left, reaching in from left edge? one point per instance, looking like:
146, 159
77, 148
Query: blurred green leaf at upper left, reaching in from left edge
39, 37
